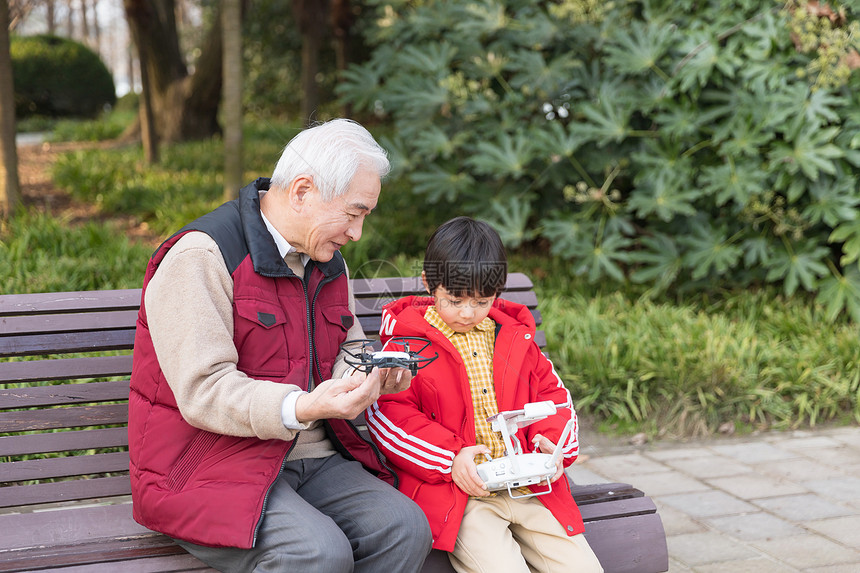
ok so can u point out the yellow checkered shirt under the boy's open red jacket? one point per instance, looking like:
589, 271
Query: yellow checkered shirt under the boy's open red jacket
476, 350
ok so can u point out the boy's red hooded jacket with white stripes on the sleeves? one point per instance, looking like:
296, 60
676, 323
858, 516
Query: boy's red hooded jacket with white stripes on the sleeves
421, 429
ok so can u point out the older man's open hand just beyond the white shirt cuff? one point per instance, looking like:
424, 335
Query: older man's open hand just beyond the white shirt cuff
343, 398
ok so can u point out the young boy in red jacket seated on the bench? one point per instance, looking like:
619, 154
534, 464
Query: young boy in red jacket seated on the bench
436, 432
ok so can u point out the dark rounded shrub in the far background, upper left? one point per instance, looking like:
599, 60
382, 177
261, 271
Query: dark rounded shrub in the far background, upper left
59, 77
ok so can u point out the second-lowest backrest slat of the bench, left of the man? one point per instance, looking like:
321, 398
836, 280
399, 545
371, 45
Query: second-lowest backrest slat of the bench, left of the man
48, 468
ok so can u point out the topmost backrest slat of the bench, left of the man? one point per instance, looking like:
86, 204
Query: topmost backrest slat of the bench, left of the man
76, 301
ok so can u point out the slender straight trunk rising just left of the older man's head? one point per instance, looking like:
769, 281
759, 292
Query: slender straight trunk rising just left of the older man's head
231, 24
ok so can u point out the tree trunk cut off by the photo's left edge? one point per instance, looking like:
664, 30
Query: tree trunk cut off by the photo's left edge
10, 191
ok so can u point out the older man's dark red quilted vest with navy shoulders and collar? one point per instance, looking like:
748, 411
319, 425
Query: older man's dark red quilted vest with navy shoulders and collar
208, 488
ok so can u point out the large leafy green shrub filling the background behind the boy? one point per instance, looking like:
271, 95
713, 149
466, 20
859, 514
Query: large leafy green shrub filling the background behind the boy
676, 144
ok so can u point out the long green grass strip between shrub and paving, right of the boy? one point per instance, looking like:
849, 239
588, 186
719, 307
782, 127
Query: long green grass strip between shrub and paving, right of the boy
754, 360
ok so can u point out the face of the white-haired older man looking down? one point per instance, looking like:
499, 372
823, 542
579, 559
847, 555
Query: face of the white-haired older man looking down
330, 225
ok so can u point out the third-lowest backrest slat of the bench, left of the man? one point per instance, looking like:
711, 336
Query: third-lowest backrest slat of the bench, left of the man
63, 441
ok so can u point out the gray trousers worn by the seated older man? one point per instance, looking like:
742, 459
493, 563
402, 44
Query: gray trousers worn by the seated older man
329, 515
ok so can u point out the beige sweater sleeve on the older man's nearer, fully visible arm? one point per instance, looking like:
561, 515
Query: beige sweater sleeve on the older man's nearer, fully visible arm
189, 308
